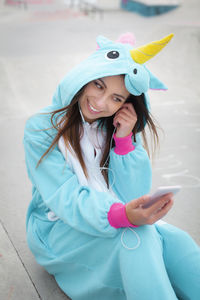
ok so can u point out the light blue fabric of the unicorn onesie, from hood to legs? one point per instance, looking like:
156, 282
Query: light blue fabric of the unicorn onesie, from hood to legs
67, 226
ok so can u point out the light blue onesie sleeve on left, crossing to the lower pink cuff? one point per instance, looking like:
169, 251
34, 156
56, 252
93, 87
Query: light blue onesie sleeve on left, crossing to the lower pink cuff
81, 207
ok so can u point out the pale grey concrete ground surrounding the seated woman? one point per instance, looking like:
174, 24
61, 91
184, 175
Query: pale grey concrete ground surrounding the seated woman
38, 46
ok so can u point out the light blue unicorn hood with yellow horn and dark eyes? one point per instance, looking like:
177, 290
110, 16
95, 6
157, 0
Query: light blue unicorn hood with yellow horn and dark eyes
113, 58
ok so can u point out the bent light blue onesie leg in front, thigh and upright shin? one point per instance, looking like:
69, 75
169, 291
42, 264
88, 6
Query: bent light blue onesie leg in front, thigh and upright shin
94, 268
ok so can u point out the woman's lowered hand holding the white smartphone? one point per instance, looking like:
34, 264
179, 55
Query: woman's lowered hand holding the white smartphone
137, 215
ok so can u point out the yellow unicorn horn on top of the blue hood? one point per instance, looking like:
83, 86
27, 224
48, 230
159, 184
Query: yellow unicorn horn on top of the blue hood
142, 54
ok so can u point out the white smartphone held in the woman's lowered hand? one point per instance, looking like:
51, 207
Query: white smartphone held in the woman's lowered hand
161, 191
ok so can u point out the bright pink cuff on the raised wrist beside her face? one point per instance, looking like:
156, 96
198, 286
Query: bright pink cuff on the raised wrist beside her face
123, 145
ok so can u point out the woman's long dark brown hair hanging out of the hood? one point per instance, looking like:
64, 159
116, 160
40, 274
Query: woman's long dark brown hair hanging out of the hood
68, 123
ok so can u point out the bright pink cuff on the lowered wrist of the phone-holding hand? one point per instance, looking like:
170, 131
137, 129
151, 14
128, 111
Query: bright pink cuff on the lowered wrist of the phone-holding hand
117, 216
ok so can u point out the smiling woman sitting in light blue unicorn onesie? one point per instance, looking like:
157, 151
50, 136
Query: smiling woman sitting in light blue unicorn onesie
91, 176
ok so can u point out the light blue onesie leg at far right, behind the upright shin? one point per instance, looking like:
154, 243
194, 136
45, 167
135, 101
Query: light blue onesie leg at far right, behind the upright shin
182, 260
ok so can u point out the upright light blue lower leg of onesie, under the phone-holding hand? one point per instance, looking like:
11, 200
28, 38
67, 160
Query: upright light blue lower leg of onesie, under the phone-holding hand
143, 270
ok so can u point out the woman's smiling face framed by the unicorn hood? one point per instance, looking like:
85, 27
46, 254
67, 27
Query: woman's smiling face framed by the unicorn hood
103, 97
